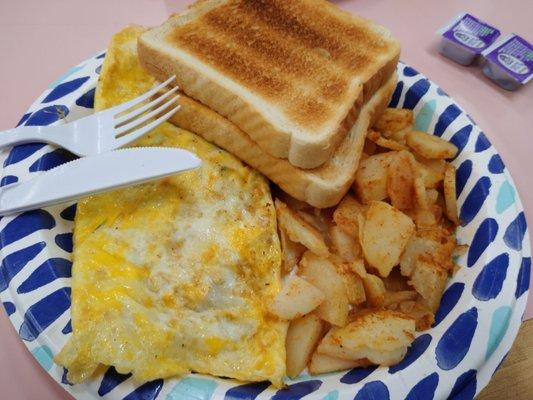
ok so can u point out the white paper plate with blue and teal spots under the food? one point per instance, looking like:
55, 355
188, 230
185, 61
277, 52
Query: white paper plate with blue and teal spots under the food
475, 326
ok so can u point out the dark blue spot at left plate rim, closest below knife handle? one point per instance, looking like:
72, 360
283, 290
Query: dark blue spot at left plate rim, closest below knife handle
25, 224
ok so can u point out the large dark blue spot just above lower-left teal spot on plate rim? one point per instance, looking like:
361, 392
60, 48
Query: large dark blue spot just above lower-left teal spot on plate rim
41, 314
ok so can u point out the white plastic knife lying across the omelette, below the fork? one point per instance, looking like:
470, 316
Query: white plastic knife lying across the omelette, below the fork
95, 174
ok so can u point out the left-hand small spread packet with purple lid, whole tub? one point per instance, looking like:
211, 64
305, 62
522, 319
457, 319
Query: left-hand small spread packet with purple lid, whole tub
465, 37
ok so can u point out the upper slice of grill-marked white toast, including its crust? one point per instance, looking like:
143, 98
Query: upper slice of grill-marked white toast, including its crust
292, 74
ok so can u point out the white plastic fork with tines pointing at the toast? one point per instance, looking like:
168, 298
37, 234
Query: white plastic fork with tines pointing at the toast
105, 130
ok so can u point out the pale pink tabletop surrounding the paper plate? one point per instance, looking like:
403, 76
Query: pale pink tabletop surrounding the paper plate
39, 40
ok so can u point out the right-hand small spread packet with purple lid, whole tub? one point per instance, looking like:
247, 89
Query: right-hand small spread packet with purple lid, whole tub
509, 62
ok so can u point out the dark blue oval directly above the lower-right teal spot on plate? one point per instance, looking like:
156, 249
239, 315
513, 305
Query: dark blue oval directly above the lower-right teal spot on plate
489, 282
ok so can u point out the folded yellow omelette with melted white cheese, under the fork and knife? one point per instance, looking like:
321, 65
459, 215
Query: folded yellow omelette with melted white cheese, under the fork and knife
175, 275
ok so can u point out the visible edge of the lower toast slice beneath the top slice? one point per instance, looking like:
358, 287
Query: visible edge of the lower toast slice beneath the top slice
320, 187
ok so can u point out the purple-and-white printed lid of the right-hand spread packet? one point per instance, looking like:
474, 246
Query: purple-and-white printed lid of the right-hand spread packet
514, 55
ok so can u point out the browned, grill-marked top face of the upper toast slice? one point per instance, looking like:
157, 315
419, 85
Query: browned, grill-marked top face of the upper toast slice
305, 57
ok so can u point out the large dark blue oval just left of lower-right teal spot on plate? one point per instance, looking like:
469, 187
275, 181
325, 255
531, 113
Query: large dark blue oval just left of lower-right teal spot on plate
455, 342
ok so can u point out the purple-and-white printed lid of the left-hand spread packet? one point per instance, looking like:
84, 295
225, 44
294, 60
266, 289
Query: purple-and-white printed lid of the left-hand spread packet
471, 33
